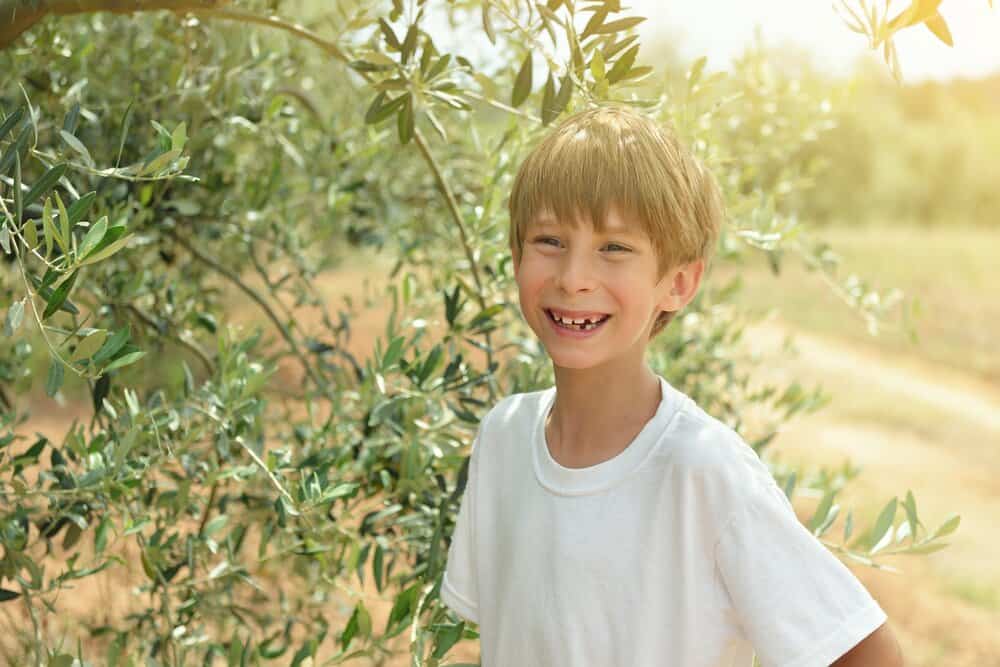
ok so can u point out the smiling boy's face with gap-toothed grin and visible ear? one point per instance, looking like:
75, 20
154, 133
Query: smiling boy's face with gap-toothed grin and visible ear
609, 279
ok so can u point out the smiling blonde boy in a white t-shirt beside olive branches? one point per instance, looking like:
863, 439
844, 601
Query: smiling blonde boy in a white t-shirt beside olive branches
608, 521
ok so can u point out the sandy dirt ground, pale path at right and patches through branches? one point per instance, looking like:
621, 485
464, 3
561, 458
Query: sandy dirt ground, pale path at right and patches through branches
908, 423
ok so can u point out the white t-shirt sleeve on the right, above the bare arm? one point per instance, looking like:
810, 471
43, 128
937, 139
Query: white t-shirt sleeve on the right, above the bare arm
797, 603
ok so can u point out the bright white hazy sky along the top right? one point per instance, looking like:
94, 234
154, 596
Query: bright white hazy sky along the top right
719, 29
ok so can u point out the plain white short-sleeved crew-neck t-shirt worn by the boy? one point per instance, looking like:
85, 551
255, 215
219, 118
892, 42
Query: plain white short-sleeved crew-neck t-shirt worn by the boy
681, 550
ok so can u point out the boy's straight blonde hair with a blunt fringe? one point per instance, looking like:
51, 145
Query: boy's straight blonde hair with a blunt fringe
614, 156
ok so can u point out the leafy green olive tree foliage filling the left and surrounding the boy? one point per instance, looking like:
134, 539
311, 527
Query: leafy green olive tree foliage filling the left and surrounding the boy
258, 482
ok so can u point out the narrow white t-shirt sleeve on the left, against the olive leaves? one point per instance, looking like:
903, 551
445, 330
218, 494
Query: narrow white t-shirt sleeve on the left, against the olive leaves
459, 589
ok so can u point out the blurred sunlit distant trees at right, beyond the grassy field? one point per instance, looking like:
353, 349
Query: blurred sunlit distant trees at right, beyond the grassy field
920, 153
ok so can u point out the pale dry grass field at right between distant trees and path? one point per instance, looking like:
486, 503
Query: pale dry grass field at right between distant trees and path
951, 271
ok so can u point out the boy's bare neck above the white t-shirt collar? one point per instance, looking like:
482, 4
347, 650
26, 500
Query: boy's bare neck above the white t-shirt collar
596, 414
